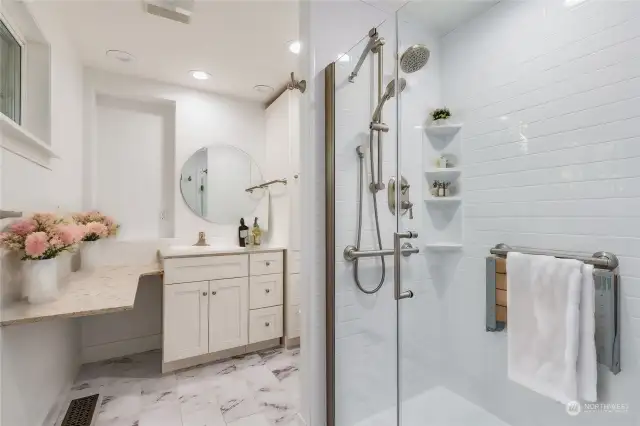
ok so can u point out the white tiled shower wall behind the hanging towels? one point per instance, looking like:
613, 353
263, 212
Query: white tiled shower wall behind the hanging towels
549, 98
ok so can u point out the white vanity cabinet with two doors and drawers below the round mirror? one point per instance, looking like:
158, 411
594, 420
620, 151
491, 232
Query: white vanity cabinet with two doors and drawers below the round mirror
221, 302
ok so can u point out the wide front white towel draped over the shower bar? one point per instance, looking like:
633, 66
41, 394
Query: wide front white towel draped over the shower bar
543, 324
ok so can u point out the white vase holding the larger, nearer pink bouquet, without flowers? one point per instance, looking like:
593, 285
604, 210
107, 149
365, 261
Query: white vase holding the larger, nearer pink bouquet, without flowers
40, 279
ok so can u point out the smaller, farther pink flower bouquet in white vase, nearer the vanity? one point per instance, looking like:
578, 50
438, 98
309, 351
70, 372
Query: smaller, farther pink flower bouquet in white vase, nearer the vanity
96, 227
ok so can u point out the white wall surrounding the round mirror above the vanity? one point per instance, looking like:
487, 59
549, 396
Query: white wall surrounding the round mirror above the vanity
201, 119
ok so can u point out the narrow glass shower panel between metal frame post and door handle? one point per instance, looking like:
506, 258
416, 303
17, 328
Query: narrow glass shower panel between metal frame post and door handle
365, 327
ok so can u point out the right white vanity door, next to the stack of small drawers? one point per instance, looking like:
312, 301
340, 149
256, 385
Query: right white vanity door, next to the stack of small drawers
228, 314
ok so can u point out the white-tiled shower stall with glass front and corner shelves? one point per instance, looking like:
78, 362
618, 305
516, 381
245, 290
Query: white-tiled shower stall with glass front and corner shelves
406, 281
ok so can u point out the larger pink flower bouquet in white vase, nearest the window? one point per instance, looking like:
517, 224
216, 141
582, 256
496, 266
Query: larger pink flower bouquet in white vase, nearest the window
39, 240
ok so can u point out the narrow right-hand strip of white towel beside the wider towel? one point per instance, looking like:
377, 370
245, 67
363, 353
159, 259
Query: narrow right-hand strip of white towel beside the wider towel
587, 359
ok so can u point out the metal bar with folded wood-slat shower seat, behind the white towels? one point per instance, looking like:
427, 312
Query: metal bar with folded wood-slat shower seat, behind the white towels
606, 280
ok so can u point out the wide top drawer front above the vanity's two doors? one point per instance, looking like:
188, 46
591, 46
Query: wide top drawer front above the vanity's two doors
203, 268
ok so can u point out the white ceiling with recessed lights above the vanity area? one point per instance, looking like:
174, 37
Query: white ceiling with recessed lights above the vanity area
241, 43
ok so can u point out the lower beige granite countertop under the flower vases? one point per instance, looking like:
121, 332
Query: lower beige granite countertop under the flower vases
107, 289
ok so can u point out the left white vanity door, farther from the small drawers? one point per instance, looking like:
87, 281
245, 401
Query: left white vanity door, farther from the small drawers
185, 320
